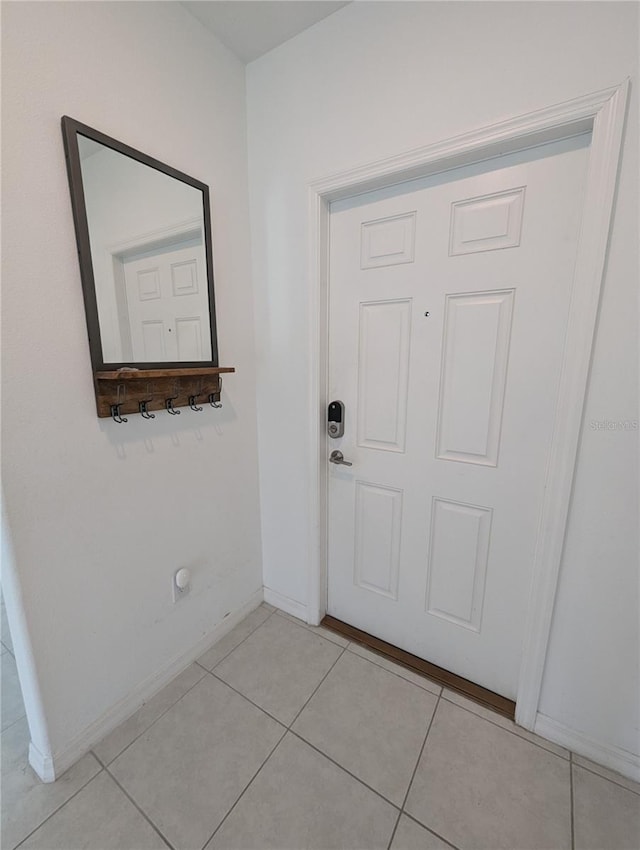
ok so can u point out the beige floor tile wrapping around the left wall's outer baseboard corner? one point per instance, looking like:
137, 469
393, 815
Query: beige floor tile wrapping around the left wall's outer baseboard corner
26, 801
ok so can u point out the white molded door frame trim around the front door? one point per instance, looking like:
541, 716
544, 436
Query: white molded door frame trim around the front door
603, 114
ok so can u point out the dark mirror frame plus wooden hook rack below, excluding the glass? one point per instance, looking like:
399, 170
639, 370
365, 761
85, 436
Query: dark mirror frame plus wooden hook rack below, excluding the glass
134, 387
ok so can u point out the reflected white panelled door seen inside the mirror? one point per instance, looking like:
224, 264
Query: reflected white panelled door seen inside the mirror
163, 302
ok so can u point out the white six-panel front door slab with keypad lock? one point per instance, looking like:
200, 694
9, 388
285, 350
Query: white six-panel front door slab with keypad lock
449, 300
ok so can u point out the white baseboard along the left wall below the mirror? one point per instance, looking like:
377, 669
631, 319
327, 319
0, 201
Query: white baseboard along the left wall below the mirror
50, 768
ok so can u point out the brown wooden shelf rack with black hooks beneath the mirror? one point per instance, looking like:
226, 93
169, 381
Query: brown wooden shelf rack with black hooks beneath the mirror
141, 391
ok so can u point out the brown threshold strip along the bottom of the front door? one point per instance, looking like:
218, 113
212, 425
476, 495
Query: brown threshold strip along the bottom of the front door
483, 696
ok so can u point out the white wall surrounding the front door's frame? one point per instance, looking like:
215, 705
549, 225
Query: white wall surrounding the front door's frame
377, 79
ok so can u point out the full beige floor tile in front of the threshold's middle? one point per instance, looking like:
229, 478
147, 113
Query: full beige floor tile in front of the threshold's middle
371, 722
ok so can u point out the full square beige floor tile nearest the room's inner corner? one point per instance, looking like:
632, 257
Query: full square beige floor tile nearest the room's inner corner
279, 666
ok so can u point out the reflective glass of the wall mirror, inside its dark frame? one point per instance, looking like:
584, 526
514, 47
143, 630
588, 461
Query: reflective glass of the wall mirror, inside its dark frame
146, 232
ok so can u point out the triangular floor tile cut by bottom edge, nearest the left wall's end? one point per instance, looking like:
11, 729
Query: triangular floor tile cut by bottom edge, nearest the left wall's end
100, 817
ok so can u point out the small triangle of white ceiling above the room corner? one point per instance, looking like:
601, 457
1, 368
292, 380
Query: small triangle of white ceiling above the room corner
251, 28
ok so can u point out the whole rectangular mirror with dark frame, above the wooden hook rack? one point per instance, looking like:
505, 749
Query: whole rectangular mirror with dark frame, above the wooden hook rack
144, 243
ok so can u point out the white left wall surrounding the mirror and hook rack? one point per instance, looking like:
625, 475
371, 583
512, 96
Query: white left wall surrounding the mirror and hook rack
102, 514
